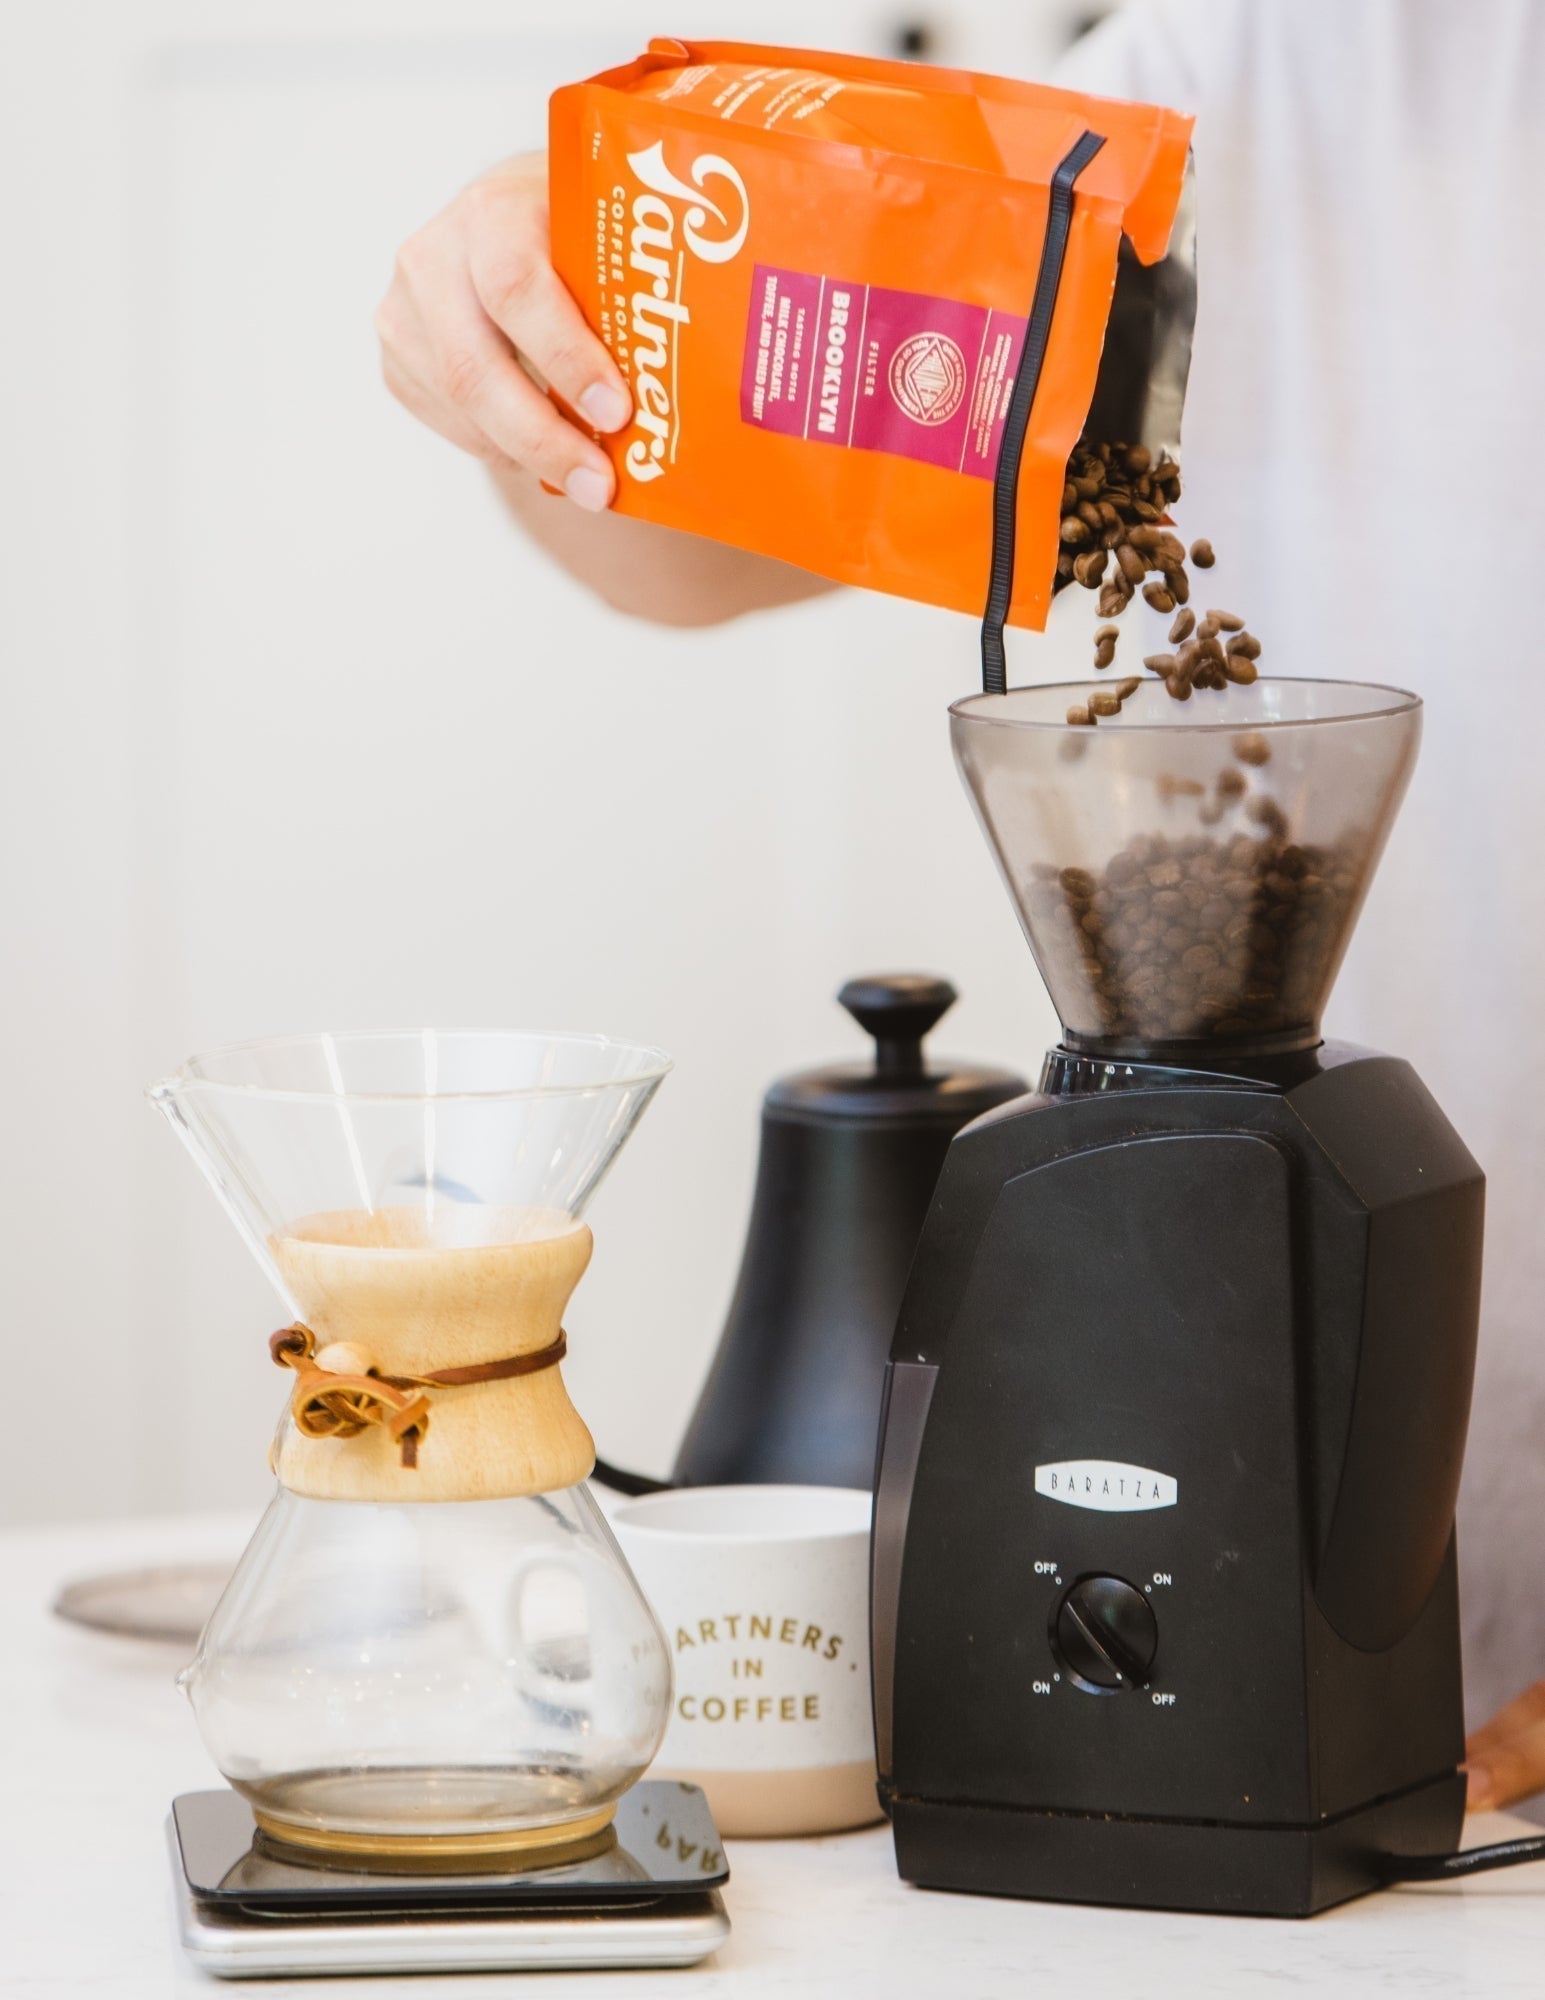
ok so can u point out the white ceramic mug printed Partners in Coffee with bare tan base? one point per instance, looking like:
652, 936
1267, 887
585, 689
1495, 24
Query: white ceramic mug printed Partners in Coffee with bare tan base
763, 1593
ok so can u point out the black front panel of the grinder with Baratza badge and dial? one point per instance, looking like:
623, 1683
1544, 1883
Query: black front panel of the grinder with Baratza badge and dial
1104, 1585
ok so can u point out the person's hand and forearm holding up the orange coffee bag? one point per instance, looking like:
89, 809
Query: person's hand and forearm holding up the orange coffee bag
473, 291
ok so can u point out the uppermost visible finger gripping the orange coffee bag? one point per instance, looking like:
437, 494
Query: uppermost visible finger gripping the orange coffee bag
511, 269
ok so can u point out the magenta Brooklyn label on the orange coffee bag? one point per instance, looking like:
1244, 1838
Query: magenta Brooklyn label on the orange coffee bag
880, 371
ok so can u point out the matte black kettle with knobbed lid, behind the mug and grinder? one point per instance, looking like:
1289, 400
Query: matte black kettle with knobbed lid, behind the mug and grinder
848, 1169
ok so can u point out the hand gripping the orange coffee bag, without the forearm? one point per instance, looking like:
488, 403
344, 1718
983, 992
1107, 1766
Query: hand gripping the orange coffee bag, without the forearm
473, 291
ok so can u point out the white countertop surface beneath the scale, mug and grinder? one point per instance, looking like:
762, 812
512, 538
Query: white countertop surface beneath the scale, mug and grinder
99, 1741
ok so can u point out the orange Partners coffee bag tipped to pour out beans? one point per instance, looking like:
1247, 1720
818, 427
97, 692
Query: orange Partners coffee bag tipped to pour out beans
858, 299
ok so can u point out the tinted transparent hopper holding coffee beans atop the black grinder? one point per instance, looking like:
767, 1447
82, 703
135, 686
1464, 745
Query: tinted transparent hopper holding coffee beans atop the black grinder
1190, 881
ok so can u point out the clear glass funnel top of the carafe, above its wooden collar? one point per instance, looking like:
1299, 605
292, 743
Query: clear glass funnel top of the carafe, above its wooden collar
411, 1141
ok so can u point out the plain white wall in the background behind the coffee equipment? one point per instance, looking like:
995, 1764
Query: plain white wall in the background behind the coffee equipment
297, 733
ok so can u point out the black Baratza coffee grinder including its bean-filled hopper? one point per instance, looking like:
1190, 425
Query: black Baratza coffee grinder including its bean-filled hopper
1164, 1579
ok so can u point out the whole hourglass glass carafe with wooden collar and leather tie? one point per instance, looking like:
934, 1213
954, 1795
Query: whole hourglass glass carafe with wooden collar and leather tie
433, 1645
